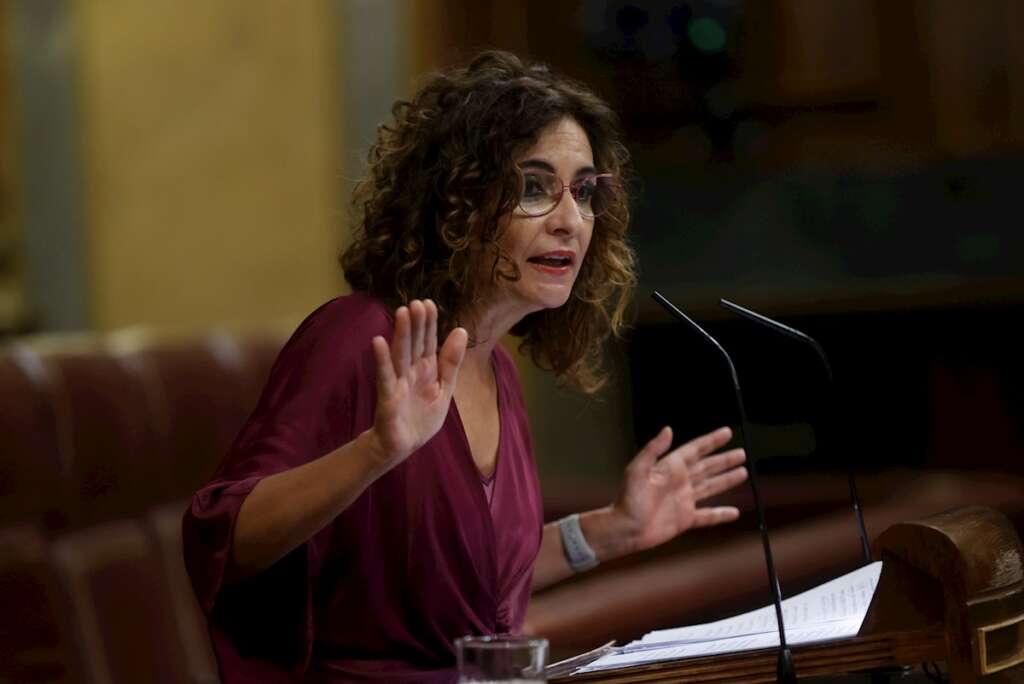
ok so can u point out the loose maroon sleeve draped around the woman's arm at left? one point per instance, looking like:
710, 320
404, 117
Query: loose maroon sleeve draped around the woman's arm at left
262, 627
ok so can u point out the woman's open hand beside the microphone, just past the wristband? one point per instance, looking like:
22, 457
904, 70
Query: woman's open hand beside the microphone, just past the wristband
660, 498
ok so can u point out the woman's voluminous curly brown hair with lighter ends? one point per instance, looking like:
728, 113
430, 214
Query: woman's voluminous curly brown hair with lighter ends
442, 176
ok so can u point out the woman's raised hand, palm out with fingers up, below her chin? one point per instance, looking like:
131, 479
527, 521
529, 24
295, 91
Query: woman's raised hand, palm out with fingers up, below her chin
415, 383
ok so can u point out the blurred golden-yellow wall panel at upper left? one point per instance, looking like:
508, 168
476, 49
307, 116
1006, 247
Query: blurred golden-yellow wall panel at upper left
211, 173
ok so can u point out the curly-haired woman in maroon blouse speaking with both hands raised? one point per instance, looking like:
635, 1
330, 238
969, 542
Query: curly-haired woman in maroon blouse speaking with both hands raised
382, 499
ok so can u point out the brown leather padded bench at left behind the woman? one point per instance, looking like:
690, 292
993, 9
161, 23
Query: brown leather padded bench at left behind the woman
105, 439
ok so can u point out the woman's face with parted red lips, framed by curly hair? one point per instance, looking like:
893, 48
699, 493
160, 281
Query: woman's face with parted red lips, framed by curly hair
549, 249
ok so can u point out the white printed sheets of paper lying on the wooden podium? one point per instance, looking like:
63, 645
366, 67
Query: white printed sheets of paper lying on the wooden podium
833, 611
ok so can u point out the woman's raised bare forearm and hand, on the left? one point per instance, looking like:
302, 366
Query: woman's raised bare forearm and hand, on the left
414, 387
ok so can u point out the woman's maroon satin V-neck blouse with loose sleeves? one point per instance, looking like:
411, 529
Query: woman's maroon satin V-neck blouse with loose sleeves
419, 560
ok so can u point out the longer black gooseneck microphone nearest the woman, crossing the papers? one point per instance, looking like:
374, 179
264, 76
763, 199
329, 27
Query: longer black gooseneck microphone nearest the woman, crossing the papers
785, 672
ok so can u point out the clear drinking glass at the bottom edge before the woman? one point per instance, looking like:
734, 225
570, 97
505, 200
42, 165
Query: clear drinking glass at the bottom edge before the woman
502, 659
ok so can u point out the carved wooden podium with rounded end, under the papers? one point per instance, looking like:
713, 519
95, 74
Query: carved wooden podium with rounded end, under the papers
952, 591
